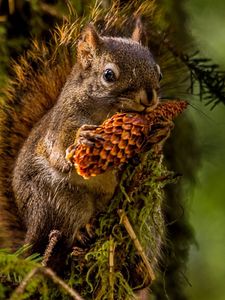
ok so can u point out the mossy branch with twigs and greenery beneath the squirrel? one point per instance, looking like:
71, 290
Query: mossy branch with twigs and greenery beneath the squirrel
119, 261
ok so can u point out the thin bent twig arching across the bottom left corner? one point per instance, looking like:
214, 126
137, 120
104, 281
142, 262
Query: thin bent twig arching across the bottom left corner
49, 273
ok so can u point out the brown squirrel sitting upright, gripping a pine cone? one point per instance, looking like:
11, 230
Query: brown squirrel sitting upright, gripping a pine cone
111, 74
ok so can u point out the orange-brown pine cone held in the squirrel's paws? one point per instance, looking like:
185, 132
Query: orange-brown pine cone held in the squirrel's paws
122, 137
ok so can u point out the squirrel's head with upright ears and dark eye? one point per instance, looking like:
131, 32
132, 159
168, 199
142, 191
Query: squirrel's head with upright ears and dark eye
118, 73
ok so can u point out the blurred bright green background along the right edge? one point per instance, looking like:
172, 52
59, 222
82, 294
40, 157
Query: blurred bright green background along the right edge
207, 261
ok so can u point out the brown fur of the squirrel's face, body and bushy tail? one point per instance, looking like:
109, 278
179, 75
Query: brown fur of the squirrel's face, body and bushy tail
39, 120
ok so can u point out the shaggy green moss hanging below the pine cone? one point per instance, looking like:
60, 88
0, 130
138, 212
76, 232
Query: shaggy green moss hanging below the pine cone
139, 195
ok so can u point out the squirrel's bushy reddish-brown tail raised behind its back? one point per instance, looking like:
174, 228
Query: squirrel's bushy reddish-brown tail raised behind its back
37, 81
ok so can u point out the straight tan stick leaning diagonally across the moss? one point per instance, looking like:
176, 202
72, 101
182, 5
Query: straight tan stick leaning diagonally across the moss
125, 221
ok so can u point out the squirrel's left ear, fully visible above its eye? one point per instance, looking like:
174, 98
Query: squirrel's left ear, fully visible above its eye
88, 45
